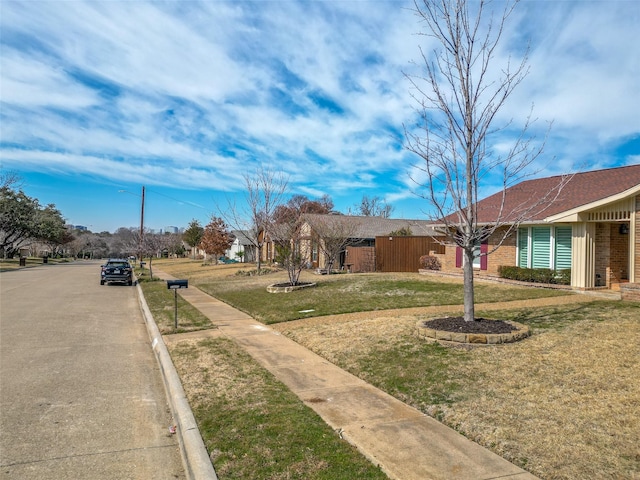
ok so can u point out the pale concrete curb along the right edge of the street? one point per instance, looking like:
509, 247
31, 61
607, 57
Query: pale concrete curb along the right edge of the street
195, 458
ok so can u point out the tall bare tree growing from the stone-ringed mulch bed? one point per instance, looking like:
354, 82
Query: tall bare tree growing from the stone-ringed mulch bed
459, 95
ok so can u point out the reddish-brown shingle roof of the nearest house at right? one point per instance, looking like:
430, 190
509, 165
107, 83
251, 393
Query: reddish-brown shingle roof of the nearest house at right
581, 189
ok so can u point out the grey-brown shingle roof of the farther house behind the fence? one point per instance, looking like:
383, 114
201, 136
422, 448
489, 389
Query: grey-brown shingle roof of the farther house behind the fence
371, 227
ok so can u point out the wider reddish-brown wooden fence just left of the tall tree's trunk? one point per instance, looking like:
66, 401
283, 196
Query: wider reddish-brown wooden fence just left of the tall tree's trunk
402, 254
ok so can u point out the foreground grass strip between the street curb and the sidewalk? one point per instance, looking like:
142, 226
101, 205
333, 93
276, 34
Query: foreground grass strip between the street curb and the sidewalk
253, 426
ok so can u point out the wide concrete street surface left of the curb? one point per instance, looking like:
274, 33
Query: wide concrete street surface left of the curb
81, 395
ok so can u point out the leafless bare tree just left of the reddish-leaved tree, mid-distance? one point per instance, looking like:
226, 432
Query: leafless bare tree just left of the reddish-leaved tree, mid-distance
265, 191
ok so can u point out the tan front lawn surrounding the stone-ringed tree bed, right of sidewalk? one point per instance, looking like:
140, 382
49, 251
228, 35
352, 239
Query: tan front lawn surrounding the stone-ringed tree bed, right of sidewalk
563, 404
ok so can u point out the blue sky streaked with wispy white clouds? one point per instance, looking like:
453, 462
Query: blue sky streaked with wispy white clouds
186, 98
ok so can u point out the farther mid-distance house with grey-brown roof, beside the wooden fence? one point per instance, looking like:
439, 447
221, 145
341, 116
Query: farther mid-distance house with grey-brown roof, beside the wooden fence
357, 252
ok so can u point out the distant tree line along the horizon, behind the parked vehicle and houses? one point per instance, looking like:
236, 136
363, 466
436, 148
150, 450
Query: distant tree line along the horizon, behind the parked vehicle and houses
26, 226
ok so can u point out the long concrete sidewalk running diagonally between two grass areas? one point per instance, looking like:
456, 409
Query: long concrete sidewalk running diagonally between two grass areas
405, 443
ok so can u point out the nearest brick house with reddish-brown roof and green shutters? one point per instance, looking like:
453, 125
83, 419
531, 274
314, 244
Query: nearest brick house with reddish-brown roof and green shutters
592, 227
